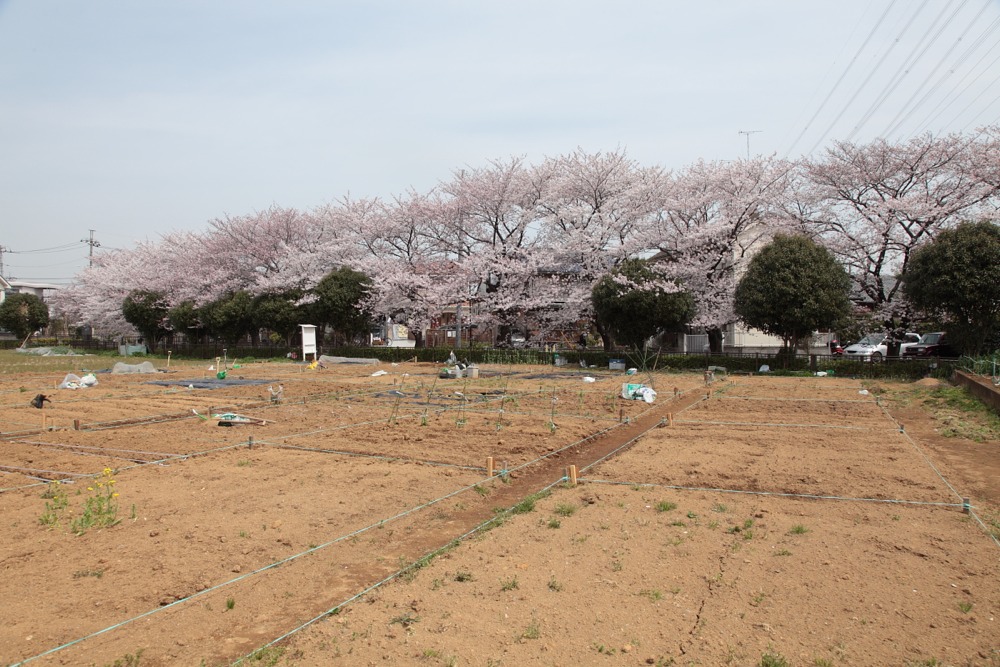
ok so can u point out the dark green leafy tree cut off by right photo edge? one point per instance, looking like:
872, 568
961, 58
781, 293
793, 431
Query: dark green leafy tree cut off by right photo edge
957, 277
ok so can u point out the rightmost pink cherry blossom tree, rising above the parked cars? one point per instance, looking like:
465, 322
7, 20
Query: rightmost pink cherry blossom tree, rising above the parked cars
874, 203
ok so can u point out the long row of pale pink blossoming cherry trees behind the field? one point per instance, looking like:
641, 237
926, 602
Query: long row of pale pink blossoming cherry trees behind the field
524, 242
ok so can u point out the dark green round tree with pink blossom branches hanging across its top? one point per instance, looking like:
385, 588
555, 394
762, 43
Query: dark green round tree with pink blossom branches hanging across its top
635, 303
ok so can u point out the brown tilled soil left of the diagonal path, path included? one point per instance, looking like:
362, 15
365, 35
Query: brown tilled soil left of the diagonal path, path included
226, 535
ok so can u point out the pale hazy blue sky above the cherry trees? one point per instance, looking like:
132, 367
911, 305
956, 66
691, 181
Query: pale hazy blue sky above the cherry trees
134, 119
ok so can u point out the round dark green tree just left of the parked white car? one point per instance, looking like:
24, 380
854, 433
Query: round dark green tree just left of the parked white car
791, 288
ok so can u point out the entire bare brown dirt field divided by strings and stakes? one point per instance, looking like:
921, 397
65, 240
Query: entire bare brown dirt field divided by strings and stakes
758, 519
